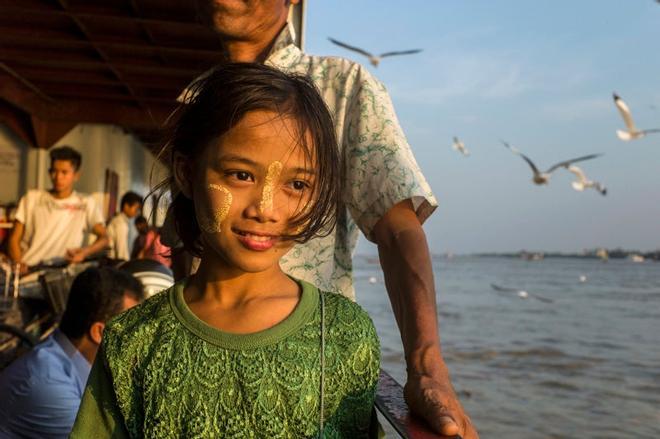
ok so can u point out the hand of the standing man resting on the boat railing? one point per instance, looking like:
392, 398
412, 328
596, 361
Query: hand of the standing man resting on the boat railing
434, 400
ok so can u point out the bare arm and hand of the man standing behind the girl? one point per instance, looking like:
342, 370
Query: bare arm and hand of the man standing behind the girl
406, 263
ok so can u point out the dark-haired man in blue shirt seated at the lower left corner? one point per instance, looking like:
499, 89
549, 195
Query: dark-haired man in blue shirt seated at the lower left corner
41, 391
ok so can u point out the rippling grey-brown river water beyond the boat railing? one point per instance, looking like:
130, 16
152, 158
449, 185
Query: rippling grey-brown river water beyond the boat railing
585, 366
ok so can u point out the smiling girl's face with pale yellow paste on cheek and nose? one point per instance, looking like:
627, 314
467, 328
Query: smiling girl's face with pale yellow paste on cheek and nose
247, 186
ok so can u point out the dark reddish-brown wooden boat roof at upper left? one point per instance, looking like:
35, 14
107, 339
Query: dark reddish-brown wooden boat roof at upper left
123, 62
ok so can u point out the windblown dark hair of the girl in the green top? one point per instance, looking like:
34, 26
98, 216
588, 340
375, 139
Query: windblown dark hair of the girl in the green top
217, 102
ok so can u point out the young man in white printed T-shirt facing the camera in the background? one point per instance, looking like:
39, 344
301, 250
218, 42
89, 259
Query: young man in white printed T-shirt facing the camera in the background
55, 224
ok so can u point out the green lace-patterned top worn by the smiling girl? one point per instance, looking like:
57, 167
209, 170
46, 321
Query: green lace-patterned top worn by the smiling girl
163, 372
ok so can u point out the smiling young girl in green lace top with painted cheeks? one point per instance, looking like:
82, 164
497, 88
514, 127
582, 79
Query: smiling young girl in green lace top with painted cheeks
240, 349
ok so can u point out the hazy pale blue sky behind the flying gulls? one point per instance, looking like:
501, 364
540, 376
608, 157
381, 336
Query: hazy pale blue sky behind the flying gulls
539, 74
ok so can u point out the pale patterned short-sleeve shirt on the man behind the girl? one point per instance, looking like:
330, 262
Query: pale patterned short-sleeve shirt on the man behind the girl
380, 167
